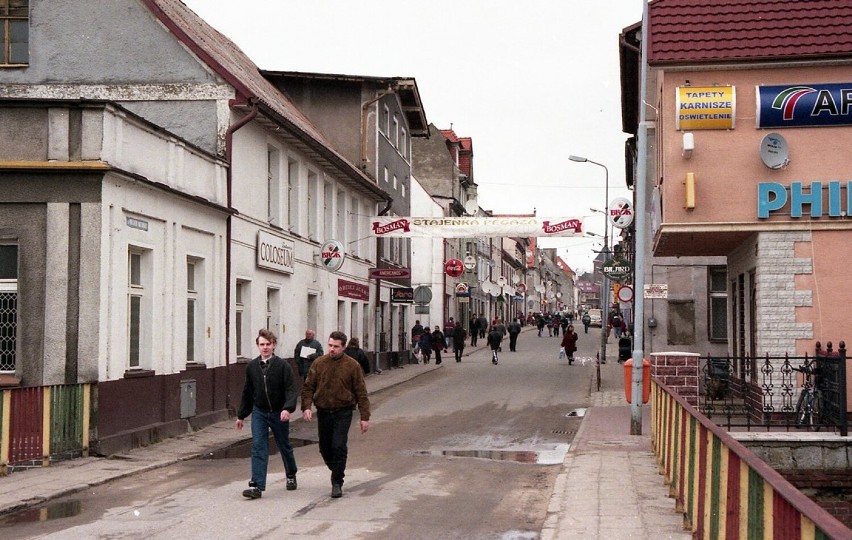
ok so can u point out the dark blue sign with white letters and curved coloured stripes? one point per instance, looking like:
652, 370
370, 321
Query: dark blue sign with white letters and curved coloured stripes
799, 105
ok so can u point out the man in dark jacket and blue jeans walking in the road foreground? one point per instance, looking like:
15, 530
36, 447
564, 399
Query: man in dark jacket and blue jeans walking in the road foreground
269, 395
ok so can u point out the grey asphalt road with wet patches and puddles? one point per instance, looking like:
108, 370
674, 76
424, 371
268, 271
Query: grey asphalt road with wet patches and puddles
468, 451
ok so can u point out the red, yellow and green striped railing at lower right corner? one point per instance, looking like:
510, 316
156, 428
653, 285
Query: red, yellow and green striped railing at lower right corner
721, 487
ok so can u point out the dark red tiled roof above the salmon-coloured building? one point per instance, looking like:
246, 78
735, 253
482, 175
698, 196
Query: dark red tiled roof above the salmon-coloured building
691, 31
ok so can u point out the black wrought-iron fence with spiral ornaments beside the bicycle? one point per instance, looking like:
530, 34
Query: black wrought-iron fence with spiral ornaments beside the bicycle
767, 392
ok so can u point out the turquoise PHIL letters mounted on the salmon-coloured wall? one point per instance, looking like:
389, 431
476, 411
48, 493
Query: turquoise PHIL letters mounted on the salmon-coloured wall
800, 199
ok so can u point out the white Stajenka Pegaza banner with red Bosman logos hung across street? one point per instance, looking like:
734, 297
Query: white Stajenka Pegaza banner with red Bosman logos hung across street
467, 227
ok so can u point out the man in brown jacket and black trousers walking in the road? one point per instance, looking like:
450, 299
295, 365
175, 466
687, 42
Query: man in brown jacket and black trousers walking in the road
335, 384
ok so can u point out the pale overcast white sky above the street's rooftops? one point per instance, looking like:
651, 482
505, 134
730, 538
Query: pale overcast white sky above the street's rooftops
530, 82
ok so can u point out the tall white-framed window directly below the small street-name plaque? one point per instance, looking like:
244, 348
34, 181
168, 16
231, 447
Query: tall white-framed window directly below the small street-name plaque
138, 307
